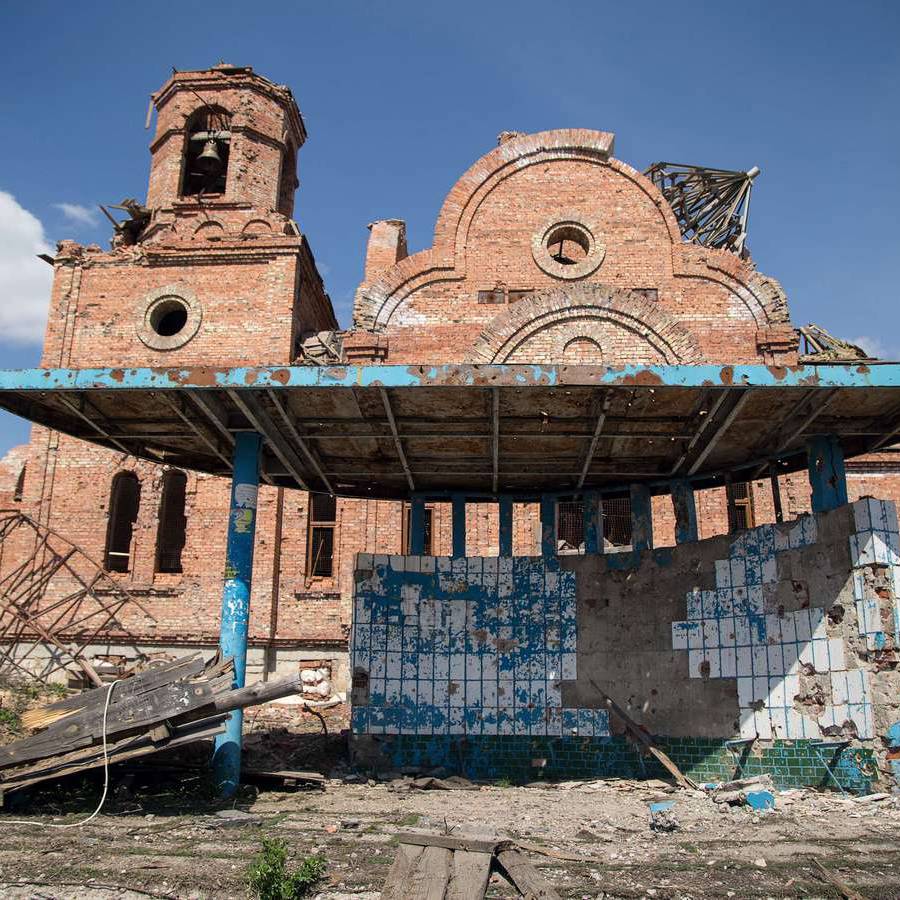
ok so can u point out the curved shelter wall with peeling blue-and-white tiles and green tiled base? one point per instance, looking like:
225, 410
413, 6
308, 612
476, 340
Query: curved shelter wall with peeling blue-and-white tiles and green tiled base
468, 663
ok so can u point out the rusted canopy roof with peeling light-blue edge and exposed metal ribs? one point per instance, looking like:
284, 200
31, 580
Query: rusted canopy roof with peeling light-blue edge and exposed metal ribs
390, 431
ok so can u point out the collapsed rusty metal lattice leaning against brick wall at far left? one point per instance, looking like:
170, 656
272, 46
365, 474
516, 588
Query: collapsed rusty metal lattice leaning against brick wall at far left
86, 601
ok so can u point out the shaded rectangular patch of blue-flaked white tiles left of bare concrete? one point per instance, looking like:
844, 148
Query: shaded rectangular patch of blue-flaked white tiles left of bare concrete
473, 646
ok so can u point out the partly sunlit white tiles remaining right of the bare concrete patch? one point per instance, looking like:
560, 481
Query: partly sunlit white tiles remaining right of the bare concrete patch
728, 634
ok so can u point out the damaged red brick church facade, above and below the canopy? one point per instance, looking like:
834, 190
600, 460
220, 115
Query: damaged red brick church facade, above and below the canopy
236, 266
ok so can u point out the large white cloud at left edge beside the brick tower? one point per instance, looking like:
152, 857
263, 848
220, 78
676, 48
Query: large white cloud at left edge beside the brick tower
25, 280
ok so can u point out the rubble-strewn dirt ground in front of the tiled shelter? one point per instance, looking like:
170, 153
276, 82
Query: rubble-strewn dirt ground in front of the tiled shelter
161, 838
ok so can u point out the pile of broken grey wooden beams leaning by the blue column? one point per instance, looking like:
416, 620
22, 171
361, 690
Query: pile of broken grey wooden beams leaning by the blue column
166, 706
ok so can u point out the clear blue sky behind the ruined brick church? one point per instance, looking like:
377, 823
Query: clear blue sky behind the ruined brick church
400, 98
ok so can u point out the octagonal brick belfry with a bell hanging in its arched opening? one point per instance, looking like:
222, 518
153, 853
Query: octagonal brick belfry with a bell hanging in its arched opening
226, 139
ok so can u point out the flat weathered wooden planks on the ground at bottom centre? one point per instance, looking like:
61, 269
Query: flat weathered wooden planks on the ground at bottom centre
455, 867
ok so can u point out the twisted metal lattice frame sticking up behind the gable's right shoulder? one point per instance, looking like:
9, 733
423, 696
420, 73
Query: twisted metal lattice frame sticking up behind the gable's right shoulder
712, 205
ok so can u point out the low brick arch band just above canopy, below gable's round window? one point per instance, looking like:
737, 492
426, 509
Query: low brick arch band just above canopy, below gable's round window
583, 304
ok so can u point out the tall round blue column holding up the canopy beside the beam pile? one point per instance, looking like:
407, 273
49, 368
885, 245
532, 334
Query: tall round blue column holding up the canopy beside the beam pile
236, 598
